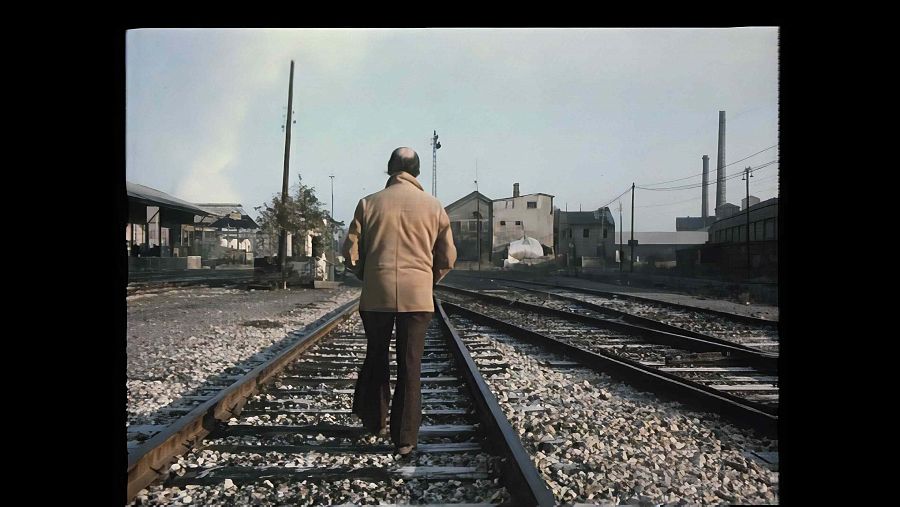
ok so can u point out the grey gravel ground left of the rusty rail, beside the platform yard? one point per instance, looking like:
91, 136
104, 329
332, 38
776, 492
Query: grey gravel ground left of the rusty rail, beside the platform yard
178, 339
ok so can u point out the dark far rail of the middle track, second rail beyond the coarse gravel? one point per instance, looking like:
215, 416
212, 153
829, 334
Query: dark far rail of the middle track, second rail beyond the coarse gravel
763, 360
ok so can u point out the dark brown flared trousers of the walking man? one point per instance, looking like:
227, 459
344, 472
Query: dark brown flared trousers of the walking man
372, 394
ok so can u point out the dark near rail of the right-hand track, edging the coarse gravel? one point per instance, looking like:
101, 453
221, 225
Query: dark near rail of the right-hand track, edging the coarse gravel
740, 411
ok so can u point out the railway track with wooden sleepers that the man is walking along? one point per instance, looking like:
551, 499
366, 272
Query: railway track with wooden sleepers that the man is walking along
288, 422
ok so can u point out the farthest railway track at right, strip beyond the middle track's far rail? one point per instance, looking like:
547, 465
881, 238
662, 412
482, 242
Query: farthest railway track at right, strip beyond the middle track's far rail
754, 332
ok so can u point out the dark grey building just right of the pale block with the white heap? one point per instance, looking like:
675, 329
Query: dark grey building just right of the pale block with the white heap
586, 238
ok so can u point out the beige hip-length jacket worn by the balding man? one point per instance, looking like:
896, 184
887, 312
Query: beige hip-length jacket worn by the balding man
400, 245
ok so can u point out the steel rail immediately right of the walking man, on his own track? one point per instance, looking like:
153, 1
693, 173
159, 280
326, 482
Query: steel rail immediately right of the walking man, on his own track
523, 481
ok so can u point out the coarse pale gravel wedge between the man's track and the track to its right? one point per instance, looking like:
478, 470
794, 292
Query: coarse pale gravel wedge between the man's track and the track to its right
598, 440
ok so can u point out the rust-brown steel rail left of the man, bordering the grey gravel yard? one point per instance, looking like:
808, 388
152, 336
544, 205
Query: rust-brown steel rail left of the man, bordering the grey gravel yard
149, 460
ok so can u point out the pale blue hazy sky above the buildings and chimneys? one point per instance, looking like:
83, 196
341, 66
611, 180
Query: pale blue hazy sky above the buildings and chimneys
580, 114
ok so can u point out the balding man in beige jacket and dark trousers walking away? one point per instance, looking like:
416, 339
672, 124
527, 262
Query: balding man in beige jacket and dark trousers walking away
400, 246
